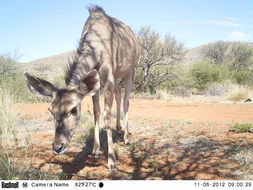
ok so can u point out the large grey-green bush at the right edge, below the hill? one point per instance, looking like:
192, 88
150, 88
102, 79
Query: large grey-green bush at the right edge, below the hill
235, 57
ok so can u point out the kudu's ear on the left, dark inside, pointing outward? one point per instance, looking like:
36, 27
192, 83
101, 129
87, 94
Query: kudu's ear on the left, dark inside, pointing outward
42, 86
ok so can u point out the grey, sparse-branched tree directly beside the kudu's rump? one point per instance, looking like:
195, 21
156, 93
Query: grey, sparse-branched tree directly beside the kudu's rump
157, 56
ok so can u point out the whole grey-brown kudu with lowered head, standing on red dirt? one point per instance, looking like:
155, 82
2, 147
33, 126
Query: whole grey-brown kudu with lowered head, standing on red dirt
108, 51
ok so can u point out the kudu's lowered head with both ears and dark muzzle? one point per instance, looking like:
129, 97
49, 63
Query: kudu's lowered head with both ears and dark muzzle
66, 105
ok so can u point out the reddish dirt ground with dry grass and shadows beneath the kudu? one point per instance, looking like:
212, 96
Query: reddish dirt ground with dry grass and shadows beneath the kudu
170, 140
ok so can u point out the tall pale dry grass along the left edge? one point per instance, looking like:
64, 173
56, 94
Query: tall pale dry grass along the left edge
10, 165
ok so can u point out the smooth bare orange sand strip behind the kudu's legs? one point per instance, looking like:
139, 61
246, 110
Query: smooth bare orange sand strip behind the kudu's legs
218, 112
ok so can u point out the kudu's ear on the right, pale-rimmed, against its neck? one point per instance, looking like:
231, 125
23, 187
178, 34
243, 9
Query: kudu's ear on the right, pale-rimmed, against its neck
90, 83
